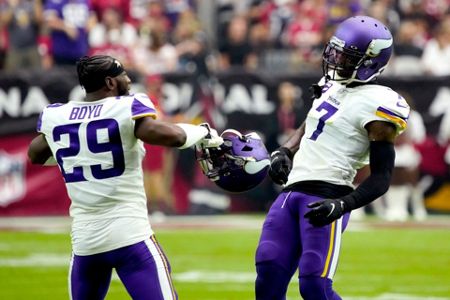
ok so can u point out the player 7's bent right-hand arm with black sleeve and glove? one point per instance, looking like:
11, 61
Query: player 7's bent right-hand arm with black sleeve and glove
382, 156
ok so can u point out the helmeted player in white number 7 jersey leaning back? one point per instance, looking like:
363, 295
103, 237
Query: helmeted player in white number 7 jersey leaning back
353, 122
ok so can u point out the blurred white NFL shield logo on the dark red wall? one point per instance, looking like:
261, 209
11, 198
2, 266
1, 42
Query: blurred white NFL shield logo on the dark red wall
12, 178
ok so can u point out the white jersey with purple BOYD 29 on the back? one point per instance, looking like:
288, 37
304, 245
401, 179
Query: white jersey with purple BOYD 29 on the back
101, 162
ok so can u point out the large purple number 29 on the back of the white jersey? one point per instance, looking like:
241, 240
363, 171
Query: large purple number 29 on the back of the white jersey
114, 145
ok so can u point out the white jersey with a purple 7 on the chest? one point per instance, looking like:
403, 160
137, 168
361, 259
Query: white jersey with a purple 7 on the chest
336, 144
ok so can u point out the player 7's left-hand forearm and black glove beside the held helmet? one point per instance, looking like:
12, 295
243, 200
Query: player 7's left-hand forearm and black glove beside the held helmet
281, 158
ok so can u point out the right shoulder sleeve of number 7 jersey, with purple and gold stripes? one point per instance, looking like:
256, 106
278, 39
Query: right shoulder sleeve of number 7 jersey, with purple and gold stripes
383, 104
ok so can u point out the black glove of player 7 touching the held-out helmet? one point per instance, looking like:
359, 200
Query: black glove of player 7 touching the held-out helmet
280, 165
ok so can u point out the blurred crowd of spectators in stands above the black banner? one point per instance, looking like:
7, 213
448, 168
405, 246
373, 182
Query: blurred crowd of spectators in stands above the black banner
155, 36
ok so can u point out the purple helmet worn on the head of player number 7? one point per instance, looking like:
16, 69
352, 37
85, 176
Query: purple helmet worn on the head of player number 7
358, 51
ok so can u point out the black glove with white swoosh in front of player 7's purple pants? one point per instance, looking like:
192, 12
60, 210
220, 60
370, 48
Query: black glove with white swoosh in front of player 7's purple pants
324, 212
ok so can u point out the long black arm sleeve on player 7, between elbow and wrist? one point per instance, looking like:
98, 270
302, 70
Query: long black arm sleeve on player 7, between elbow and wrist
382, 157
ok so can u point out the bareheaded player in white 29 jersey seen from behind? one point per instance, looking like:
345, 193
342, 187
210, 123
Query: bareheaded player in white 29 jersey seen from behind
98, 146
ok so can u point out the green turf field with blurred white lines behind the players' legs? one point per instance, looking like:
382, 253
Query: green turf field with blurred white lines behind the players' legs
386, 263
